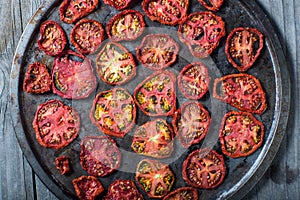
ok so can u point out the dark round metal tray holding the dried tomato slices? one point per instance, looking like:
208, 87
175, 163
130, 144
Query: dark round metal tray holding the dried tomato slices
242, 173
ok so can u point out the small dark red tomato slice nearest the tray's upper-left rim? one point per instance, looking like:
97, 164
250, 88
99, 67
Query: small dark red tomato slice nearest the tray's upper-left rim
52, 39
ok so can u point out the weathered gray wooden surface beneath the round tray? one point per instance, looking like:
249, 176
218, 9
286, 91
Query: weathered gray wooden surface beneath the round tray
17, 179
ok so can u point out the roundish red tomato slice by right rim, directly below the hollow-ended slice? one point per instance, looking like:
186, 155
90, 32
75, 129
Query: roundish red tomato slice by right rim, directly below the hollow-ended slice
241, 134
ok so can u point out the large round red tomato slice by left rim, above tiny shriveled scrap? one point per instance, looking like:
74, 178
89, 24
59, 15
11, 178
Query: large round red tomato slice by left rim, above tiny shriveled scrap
55, 124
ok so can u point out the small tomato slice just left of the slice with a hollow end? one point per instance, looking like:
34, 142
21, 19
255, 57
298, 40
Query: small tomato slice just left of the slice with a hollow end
193, 80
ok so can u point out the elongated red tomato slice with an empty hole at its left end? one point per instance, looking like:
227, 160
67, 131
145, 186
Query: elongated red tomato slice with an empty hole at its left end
242, 91
